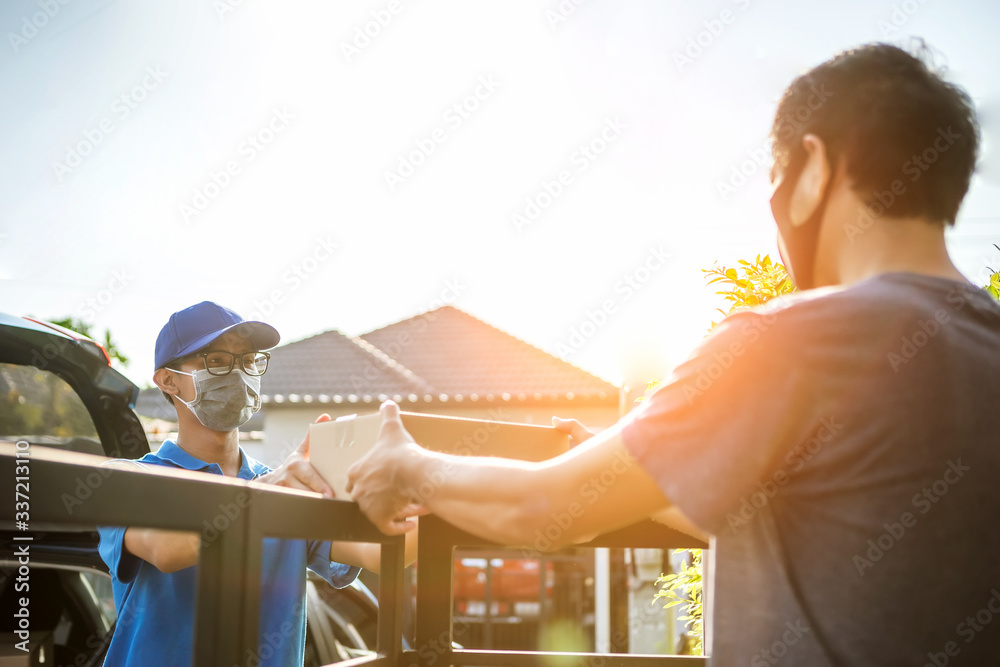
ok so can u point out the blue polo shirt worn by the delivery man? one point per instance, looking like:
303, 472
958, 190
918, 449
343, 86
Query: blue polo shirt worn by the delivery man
156, 610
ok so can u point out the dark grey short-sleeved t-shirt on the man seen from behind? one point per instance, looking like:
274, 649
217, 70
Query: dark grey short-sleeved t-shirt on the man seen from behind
844, 449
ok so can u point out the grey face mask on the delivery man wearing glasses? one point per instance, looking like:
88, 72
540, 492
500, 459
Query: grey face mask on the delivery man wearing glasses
223, 402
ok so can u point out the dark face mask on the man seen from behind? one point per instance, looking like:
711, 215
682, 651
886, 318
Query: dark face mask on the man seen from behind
799, 242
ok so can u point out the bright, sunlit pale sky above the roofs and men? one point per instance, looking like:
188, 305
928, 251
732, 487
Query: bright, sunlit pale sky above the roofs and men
159, 154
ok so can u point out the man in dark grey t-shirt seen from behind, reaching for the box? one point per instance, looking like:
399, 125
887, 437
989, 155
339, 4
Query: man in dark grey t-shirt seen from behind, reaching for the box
842, 447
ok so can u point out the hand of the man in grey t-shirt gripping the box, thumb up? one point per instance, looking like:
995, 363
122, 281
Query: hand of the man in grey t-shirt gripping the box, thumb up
378, 481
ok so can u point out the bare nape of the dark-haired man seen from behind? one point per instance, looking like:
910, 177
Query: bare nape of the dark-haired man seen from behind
910, 245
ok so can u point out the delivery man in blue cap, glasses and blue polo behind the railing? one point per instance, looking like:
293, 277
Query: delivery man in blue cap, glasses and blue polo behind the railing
209, 363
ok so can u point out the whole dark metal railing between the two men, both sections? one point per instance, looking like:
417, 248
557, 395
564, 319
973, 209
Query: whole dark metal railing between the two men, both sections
229, 574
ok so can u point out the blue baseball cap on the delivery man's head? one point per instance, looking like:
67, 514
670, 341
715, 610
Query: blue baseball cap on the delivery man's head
193, 328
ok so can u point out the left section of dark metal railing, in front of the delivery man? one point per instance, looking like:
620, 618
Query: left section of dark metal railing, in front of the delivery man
229, 571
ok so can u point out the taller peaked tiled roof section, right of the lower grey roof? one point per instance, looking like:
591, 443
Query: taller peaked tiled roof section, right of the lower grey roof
460, 355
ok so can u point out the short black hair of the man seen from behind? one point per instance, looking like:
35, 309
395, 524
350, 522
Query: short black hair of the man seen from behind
891, 117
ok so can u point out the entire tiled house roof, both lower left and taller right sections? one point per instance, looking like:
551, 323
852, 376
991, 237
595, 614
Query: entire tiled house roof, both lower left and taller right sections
439, 356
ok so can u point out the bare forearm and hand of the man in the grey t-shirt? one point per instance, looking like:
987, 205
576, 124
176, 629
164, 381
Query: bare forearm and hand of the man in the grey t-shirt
591, 489
